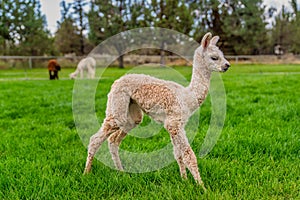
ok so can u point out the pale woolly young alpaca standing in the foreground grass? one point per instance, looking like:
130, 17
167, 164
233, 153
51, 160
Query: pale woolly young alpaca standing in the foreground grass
164, 101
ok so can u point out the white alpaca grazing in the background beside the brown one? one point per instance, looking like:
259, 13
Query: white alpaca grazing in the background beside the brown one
88, 64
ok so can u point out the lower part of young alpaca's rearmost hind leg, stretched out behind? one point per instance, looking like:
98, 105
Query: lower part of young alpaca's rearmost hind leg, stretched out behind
109, 126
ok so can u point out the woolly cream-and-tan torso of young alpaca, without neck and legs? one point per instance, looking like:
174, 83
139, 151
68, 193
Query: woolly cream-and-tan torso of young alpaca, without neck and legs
156, 97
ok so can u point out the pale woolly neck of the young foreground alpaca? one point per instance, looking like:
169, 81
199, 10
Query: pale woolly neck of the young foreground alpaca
200, 80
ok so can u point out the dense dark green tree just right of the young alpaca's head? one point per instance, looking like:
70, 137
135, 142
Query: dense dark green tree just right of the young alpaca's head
244, 26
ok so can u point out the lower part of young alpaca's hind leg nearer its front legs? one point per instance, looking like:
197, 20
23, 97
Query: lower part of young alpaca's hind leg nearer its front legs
114, 143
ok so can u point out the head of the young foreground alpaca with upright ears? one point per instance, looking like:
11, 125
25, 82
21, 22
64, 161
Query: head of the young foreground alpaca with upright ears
210, 54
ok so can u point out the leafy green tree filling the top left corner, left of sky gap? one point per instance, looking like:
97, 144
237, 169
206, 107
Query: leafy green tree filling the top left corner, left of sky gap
23, 28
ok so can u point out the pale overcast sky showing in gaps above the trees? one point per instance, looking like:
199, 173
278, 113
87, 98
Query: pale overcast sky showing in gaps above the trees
51, 9
